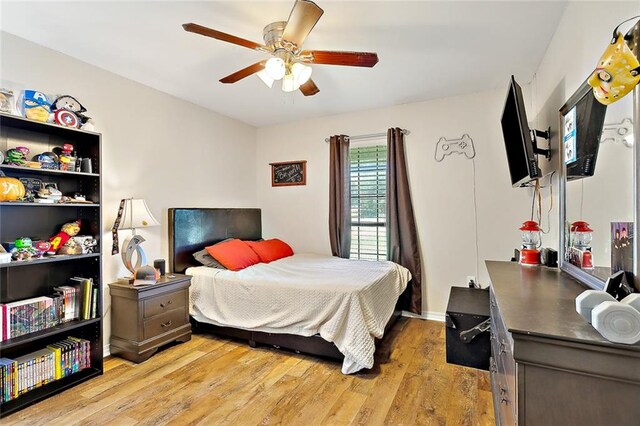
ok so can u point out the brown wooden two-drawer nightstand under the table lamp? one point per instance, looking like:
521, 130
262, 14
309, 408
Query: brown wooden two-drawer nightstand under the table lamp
144, 318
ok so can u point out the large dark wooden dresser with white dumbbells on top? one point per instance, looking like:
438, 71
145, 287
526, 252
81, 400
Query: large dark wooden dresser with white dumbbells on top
548, 365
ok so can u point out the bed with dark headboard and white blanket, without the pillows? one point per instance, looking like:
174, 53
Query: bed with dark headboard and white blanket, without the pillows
285, 303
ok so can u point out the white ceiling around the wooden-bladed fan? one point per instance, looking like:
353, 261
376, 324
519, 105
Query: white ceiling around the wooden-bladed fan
427, 49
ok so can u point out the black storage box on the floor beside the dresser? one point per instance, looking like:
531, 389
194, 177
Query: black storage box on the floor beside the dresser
468, 308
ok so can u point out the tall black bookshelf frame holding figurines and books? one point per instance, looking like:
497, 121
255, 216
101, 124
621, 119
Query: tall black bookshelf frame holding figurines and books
38, 277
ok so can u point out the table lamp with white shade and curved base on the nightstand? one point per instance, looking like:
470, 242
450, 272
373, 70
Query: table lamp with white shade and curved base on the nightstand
132, 214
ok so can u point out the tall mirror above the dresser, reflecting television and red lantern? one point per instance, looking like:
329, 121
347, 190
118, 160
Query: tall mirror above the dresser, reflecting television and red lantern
599, 210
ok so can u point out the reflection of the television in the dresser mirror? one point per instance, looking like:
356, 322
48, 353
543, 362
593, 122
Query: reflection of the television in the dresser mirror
582, 121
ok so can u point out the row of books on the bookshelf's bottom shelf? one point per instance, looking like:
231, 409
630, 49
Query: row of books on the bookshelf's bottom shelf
28, 372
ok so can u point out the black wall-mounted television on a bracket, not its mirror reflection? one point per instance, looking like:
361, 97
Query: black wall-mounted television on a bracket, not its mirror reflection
518, 141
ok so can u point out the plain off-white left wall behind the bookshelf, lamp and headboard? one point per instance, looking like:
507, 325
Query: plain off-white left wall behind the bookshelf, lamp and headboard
170, 152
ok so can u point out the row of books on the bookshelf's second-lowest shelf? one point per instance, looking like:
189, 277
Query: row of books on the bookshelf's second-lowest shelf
77, 300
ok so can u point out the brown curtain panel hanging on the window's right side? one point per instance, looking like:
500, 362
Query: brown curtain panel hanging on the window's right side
402, 238
